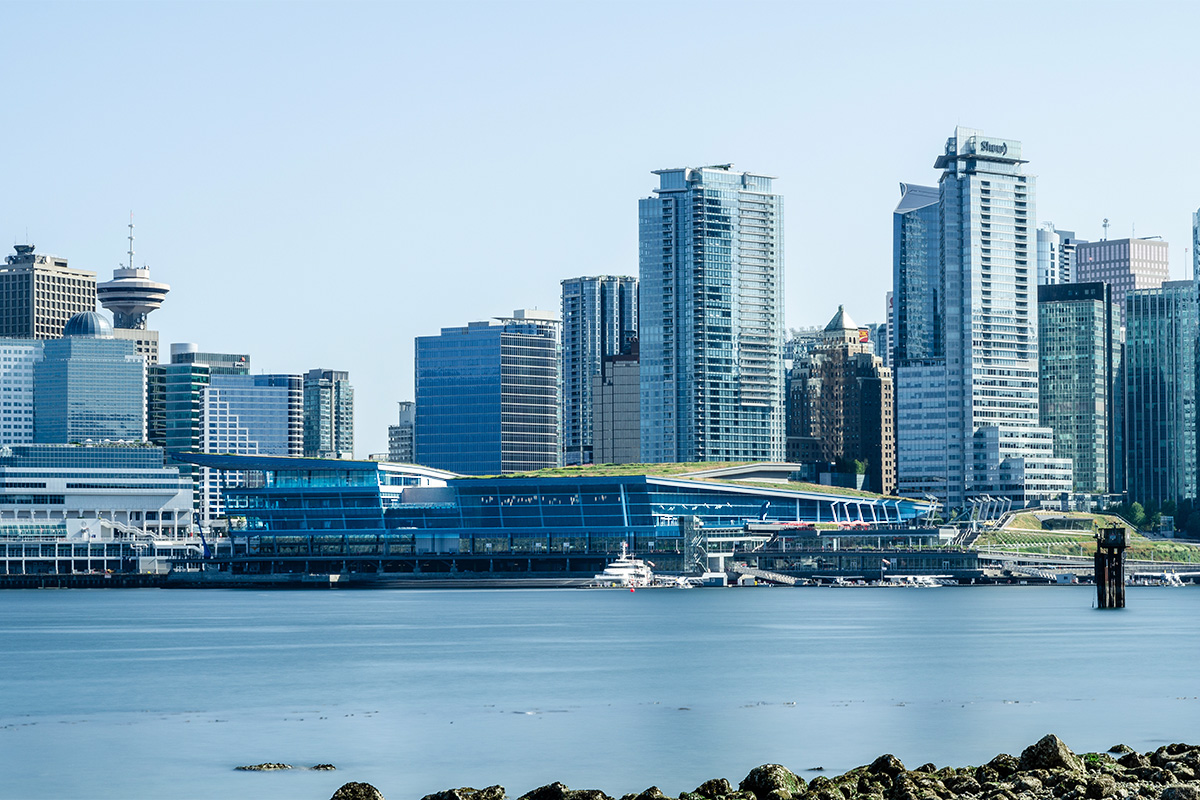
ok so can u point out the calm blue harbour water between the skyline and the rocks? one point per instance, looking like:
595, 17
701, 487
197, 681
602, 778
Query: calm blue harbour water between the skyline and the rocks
148, 694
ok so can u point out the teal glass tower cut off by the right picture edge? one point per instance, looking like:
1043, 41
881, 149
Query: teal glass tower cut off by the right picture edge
1161, 392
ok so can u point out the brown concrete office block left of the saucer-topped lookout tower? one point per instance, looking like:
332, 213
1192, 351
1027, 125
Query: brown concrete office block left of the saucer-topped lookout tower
40, 293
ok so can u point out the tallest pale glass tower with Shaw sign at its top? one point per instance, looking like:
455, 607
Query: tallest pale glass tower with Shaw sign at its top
969, 418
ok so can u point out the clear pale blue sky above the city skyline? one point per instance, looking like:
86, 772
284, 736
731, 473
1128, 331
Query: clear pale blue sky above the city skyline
322, 183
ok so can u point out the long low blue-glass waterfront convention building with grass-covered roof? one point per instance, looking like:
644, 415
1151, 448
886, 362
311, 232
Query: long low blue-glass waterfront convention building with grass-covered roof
305, 516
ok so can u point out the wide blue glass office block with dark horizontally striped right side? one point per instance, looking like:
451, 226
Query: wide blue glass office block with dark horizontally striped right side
488, 396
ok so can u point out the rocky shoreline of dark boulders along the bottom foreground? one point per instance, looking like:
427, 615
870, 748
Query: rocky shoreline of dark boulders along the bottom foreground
1046, 771
